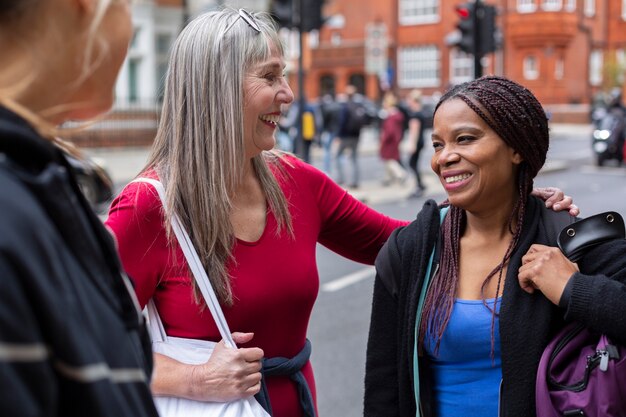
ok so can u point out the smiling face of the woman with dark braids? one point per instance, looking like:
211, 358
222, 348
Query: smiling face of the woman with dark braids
476, 168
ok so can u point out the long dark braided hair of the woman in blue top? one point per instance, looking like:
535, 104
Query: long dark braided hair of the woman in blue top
518, 118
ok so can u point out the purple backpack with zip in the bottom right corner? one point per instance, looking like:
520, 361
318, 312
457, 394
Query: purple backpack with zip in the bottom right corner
581, 374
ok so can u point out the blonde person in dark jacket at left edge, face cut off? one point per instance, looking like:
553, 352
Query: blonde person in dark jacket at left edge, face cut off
72, 340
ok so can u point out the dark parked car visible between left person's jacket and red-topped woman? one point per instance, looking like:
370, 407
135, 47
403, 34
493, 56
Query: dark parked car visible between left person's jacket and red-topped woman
94, 181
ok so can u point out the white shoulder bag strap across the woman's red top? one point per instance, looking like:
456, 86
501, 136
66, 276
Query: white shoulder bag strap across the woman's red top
198, 272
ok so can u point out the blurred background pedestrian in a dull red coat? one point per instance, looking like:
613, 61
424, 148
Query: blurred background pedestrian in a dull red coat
391, 134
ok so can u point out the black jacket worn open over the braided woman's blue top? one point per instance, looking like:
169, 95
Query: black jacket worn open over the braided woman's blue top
527, 322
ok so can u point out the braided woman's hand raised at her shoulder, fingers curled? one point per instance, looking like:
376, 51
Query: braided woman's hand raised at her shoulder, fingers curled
546, 269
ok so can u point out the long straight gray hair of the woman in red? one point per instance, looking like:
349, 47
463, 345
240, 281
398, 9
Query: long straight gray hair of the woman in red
199, 149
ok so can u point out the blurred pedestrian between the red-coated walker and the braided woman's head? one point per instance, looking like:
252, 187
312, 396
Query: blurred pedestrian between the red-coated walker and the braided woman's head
417, 126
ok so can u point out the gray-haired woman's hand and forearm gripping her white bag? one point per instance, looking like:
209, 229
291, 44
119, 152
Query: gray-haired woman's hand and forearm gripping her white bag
228, 375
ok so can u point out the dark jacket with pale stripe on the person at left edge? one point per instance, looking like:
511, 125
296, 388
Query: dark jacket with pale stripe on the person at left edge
72, 341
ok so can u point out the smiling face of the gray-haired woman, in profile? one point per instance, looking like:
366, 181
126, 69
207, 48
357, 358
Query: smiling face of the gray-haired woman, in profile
265, 90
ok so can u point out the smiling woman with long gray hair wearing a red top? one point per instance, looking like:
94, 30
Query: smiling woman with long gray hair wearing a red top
255, 216
